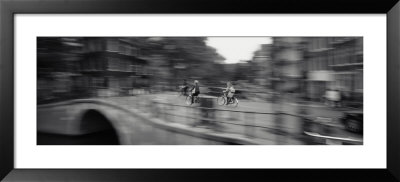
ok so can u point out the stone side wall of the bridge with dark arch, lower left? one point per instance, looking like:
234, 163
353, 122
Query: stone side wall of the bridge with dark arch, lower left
124, 125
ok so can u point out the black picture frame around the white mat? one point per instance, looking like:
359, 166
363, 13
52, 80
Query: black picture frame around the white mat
9, 8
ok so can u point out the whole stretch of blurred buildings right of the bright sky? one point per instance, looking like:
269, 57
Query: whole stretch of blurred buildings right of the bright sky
313, 65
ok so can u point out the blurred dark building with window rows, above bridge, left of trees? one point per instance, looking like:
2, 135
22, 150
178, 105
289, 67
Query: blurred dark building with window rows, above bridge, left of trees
111, 66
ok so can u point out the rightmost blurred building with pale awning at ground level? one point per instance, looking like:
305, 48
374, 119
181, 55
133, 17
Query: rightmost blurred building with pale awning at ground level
334, 63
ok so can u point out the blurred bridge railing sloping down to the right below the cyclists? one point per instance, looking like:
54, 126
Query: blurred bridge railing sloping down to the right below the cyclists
257, 125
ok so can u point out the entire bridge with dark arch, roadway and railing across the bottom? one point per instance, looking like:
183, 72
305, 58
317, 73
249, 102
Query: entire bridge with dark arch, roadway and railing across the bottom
146, 121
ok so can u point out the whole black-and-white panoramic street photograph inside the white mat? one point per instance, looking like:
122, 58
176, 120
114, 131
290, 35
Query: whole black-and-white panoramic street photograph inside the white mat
200, 90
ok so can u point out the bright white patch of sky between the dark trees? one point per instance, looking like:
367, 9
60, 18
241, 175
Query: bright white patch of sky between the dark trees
235, 49
